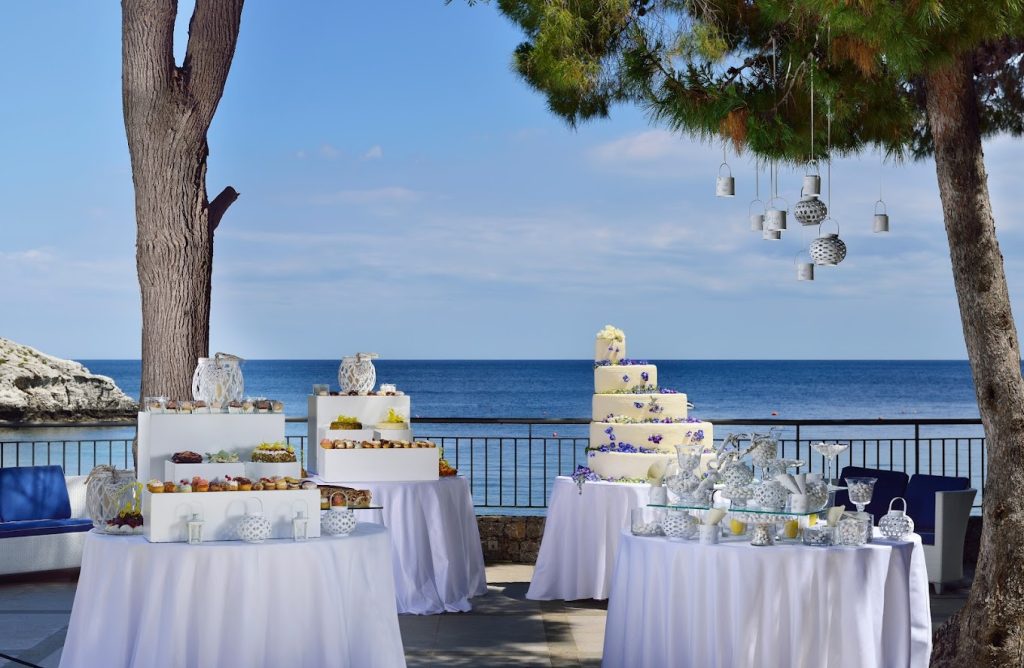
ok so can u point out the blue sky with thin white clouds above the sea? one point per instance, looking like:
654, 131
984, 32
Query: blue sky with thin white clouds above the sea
404, 192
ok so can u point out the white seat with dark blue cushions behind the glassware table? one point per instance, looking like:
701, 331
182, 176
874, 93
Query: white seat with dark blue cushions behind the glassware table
941, 508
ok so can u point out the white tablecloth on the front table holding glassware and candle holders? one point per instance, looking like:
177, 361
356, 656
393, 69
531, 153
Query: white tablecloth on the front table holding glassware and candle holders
736, 606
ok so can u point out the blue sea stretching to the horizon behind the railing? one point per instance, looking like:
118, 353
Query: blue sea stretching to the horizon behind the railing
750, 391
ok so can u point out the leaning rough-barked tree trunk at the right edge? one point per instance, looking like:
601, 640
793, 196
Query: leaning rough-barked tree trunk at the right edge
990, 631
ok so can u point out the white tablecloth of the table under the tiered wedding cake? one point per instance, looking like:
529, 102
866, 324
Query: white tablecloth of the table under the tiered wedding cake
581, 536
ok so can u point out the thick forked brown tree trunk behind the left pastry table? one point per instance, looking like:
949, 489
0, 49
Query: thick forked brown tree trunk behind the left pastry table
168, 111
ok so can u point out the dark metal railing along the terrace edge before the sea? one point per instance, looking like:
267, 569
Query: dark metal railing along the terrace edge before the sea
511, 463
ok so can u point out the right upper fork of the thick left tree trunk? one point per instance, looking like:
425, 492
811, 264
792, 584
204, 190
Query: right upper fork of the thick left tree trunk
214, 33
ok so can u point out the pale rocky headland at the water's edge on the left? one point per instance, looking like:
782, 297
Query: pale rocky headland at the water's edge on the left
36, 387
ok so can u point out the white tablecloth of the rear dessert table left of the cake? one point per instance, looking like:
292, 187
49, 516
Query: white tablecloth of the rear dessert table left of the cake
436, 541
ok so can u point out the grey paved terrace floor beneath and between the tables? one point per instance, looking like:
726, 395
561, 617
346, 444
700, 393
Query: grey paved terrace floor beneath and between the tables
504, 631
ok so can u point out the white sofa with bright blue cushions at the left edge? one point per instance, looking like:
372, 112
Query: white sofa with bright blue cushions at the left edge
42, 527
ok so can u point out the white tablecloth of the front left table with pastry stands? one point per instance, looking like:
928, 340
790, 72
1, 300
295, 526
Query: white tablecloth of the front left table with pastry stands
326, 602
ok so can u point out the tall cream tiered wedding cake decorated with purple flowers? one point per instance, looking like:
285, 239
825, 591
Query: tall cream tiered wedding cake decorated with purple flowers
636, 424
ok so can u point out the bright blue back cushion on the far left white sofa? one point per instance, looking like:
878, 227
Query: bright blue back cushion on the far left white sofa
33, 493
